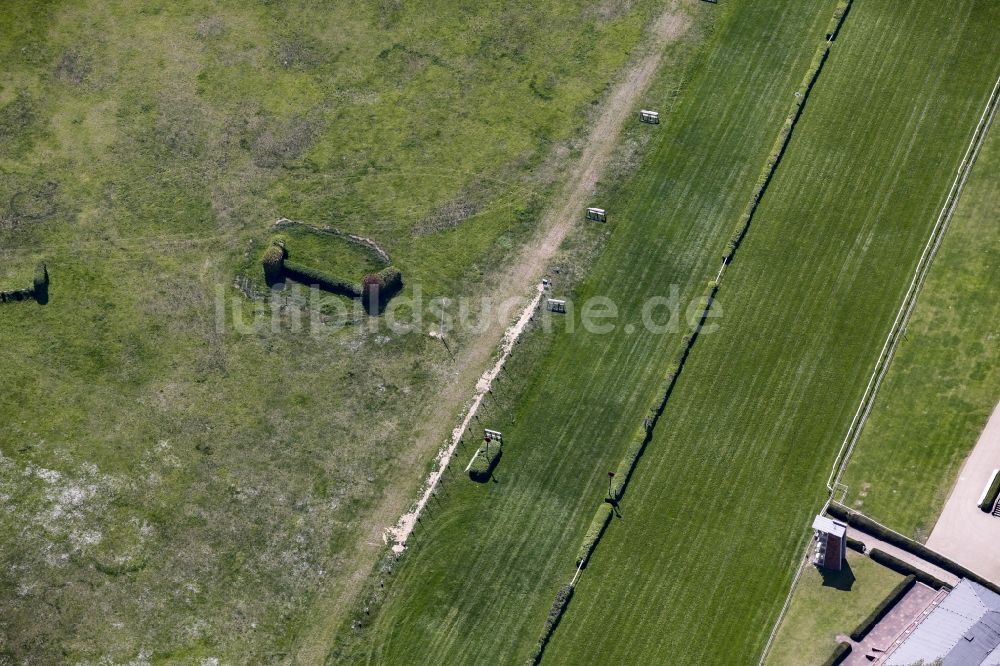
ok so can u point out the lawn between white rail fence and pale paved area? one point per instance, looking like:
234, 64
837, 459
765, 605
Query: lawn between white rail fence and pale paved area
945, 378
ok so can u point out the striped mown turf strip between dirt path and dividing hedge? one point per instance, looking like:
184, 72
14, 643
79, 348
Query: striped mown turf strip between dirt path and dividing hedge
487, 560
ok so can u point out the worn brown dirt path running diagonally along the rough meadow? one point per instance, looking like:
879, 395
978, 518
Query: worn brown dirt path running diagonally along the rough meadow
337, 599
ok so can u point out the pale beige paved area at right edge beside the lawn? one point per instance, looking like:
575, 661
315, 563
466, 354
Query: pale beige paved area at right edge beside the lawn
964, 533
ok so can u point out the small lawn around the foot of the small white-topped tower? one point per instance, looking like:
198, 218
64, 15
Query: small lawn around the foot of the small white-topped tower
827, 604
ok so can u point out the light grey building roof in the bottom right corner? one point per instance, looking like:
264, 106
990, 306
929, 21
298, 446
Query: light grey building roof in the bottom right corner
964, 630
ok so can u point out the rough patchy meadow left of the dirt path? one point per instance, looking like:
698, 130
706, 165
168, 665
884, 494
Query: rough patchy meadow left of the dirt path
177, 489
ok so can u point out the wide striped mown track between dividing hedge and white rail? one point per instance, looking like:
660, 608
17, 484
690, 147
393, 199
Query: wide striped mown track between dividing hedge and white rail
717, 513
